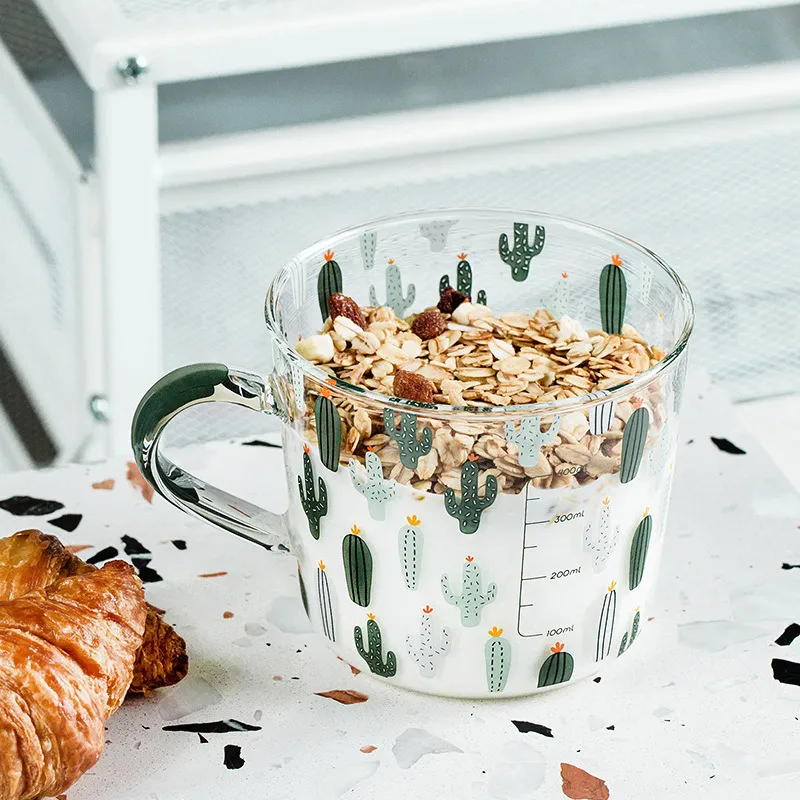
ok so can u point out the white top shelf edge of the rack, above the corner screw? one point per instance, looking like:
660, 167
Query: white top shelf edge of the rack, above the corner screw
187, 40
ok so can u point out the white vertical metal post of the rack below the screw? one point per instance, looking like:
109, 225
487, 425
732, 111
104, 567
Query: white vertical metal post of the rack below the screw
126, 124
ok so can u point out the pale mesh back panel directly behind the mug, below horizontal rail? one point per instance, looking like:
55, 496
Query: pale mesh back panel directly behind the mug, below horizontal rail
724, 215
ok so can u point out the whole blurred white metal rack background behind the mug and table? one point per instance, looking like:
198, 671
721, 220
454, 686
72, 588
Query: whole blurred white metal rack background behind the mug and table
161, 159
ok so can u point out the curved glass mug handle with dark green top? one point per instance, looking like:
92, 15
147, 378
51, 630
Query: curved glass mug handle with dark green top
175, 392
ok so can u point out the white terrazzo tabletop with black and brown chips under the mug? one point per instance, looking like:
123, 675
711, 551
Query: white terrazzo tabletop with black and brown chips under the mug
693, 711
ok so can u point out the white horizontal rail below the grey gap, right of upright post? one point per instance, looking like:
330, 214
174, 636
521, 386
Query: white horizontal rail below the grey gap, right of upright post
315, 159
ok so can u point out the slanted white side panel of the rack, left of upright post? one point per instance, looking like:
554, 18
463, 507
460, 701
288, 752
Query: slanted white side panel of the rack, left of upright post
45, 178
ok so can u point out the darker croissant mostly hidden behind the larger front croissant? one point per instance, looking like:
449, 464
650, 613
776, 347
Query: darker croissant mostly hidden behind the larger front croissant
31, 560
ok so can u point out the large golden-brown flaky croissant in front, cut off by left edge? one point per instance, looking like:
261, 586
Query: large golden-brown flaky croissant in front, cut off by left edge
66, 660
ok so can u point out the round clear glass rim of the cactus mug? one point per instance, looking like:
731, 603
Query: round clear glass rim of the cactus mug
486, 413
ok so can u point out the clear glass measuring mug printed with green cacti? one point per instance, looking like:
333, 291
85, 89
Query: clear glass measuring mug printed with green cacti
462, 551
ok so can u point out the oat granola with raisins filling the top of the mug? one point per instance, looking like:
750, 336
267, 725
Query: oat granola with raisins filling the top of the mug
469, 357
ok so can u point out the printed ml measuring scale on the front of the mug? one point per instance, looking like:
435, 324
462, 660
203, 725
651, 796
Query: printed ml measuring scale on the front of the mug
542, 591
